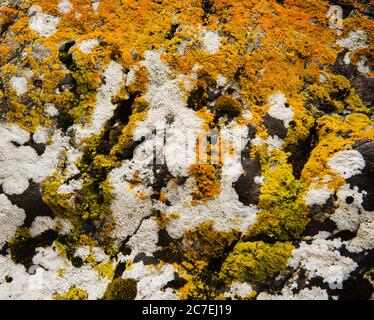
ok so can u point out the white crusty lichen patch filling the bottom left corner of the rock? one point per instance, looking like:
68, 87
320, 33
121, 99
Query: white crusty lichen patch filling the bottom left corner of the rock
54, 274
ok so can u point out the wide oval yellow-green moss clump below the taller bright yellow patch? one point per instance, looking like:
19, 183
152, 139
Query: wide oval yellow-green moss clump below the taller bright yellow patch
256, 262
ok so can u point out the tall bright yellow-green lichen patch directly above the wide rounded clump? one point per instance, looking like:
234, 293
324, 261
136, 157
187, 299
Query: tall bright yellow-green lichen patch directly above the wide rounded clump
283, 214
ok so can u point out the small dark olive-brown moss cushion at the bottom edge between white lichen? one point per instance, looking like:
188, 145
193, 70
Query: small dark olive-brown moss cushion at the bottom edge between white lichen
121, 289
